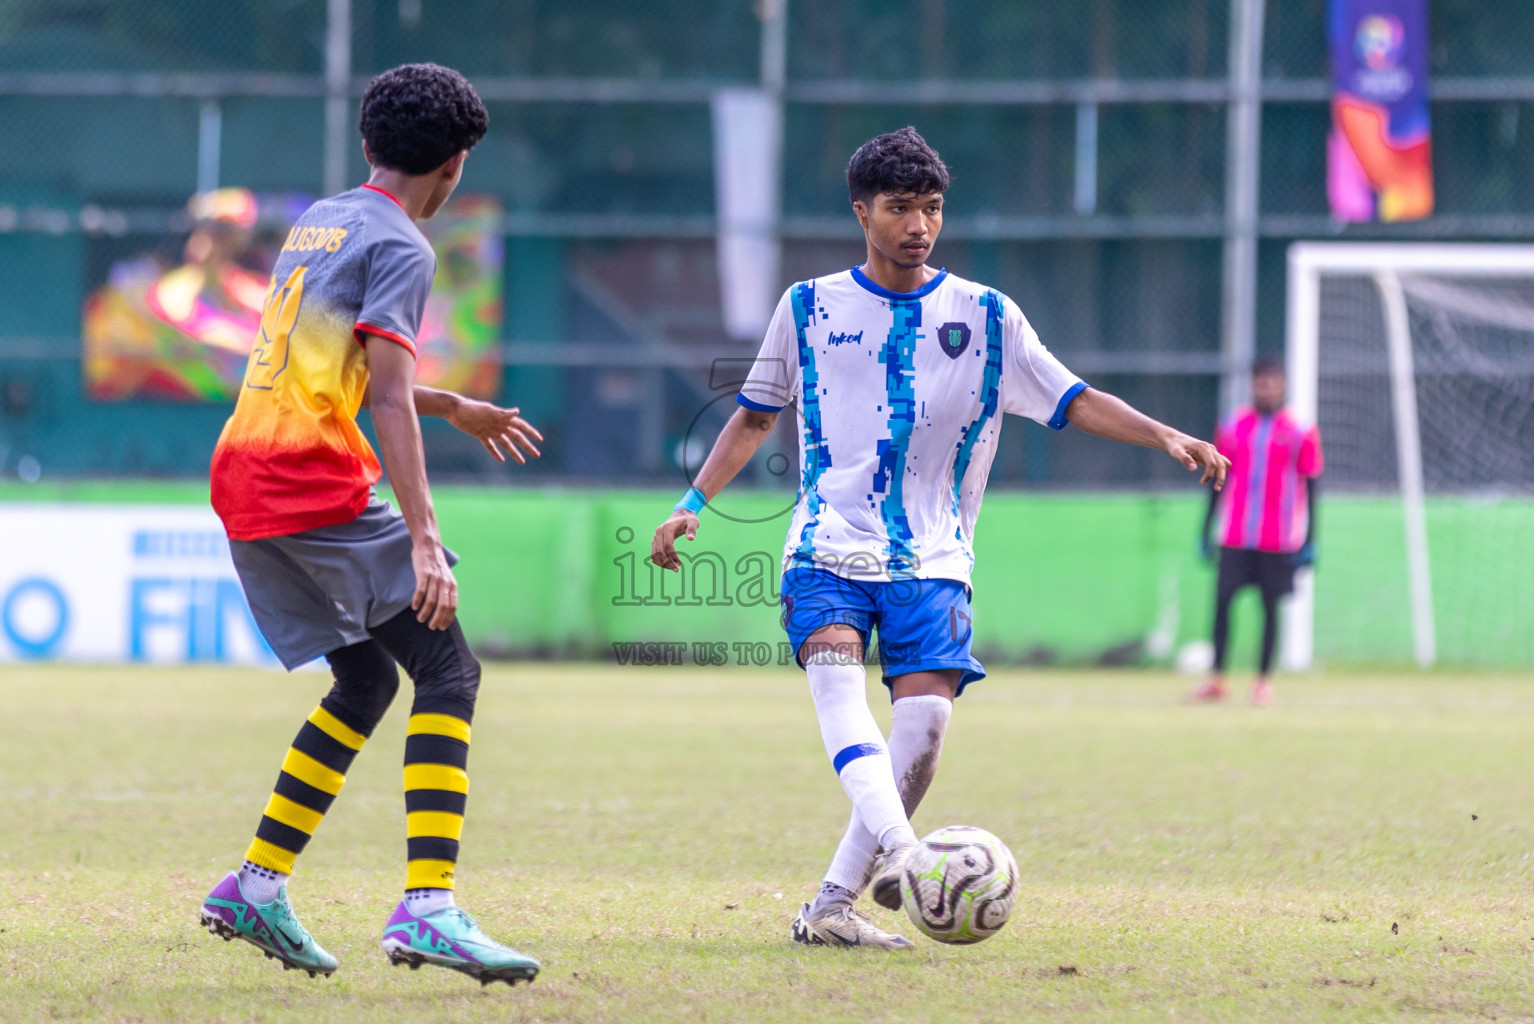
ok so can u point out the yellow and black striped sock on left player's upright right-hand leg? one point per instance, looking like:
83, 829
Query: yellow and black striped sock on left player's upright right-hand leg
436, 792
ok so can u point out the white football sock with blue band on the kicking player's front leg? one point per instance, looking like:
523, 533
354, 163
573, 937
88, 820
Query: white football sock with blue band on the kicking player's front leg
855, 746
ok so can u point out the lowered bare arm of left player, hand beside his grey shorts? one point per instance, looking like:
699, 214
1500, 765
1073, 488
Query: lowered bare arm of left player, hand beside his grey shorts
392, 372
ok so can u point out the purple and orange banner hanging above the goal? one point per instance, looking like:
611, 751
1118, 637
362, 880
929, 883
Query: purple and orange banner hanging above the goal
1380, 154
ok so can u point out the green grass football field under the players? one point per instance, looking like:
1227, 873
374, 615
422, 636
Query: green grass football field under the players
1358, 853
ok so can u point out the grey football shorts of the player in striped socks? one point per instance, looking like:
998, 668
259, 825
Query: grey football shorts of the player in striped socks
323, 589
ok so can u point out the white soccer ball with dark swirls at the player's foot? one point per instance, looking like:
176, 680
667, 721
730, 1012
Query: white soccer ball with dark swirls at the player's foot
960, 885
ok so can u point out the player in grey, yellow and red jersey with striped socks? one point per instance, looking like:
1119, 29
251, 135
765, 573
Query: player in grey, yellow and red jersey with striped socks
328, 568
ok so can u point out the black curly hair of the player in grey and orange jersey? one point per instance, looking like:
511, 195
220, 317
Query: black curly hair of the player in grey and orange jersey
418, 117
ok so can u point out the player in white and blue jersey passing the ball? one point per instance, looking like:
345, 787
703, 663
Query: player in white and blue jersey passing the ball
900, 375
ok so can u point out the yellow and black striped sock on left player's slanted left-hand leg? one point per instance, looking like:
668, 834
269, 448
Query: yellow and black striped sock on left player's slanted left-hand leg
314, 773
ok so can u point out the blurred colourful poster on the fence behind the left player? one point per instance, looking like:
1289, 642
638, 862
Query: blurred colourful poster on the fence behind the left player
177, 326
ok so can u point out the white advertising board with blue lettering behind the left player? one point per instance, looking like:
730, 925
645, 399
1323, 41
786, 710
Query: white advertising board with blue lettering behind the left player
122, 585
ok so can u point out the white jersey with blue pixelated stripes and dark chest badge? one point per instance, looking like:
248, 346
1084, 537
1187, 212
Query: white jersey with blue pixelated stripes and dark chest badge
900, 399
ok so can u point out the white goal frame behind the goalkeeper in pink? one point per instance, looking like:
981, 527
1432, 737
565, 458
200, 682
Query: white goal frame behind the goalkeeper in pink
1384, 263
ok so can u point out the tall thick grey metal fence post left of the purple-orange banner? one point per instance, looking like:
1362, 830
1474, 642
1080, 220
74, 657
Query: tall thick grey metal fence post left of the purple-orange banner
1243, 169
